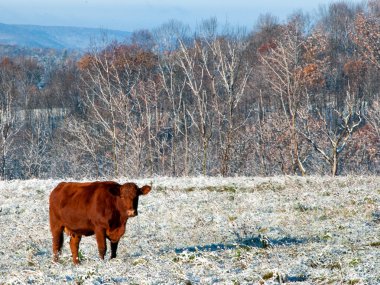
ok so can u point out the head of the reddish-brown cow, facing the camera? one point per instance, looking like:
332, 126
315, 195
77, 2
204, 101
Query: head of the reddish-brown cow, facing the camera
130, 193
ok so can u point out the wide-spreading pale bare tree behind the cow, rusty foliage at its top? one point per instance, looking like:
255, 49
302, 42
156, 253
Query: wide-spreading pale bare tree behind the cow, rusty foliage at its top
111, 80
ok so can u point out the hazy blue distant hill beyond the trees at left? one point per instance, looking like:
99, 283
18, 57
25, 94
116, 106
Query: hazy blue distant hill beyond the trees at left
75, 38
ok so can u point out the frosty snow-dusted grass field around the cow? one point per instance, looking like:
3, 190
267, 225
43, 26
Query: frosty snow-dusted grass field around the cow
209, 231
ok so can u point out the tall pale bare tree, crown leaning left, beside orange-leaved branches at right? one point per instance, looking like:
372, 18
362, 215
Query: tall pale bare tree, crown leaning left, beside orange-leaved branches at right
282, 61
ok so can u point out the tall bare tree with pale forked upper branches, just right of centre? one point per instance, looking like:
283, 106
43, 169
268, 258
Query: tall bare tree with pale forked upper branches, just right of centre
229, 75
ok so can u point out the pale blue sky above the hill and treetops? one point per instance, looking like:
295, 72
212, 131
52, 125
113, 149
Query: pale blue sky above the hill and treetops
131, 15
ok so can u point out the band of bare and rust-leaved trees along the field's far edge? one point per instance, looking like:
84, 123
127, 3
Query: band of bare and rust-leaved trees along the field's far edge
300, 97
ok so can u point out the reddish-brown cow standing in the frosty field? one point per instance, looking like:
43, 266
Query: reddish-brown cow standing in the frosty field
100, 208
